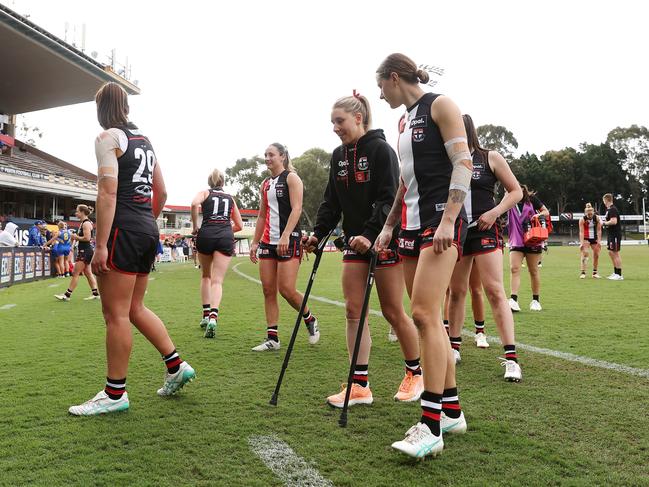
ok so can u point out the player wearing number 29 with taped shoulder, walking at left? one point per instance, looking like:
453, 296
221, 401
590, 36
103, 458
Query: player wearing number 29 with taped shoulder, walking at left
130, 196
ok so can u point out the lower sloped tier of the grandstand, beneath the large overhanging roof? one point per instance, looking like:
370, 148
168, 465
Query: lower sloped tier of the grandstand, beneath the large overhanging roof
36, 170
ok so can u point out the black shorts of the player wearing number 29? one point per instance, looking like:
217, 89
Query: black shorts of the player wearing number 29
131, 252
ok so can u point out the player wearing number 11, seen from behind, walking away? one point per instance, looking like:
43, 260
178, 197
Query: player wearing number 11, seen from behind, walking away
215, 244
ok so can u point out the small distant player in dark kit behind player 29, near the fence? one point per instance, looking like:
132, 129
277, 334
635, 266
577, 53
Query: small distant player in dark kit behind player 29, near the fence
84, 256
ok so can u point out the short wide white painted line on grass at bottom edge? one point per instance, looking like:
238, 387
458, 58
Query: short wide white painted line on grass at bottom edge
291, 469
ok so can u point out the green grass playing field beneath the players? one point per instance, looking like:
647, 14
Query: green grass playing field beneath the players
565, 424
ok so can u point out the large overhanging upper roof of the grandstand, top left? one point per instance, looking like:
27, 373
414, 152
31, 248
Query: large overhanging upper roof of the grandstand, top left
41, 71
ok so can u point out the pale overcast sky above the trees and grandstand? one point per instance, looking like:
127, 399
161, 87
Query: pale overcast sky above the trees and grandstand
222, 80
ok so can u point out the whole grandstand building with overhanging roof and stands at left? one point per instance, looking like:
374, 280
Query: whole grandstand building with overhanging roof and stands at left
40, 71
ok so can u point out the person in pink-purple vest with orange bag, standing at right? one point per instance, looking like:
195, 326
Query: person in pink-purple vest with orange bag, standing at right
520, 218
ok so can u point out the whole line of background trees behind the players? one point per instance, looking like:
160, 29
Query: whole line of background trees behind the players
565, 180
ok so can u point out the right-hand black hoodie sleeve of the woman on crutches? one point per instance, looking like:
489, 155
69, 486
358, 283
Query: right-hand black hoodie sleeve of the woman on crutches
385, 175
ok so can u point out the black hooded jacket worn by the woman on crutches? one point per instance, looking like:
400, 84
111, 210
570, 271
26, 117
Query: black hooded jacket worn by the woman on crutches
363, 181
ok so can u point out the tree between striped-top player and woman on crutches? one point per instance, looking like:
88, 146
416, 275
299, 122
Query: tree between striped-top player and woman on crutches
313, 169
